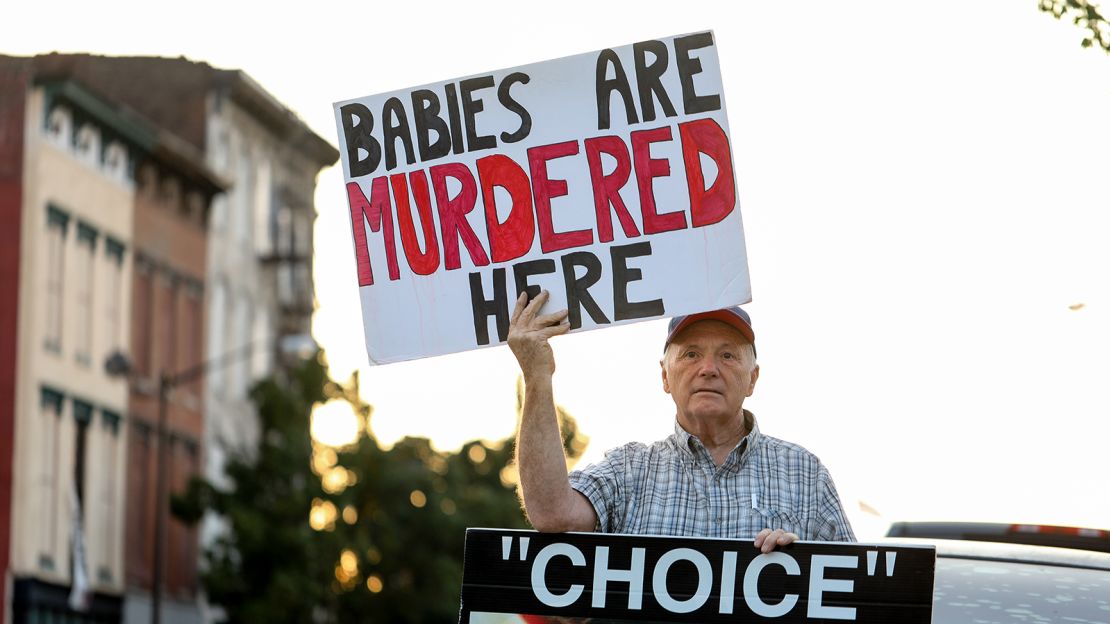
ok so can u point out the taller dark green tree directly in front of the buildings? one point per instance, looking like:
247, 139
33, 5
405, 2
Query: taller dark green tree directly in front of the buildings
268, 566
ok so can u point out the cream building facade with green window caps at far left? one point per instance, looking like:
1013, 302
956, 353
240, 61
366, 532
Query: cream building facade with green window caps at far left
72, 290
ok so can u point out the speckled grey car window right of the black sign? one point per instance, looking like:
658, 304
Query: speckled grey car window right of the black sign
986, 592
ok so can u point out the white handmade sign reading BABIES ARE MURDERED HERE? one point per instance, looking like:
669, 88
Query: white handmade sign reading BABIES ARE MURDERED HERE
606, 178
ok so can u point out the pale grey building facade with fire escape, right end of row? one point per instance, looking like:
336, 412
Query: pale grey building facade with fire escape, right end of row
260, 250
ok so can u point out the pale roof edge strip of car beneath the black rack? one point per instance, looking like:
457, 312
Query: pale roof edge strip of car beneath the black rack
1012, 553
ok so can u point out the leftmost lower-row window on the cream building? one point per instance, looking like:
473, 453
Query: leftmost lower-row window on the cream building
48, 487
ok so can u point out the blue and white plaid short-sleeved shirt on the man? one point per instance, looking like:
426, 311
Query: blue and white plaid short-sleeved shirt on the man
674, 488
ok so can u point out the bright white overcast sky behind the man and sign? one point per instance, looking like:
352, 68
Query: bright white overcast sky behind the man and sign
924, 194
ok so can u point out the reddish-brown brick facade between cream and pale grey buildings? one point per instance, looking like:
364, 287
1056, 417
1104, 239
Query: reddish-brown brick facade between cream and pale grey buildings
167, 405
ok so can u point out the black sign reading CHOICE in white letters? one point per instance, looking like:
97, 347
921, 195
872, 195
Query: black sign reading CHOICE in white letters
607, 578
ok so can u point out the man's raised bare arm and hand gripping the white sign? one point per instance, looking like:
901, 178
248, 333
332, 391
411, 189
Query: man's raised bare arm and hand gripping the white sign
551, 504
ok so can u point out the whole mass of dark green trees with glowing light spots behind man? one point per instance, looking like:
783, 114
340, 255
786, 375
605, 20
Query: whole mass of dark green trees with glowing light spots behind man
400, 516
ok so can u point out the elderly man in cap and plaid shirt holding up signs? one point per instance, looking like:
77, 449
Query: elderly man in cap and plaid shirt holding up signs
715, 477
